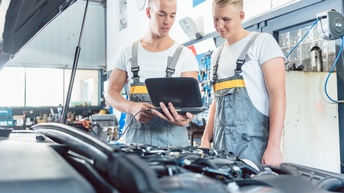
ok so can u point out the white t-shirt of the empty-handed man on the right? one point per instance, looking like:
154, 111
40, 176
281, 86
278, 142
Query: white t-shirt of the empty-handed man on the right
263, 49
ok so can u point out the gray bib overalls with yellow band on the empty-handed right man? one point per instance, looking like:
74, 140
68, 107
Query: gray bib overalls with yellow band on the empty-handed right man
239, 127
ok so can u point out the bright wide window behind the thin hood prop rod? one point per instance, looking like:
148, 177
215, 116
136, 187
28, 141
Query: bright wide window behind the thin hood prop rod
35, 87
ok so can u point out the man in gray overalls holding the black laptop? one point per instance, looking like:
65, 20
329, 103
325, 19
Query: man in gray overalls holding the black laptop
149, 57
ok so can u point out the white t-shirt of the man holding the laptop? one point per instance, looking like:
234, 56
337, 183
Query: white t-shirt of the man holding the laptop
153, 64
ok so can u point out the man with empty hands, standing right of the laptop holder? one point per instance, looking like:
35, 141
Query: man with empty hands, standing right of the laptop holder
247, 114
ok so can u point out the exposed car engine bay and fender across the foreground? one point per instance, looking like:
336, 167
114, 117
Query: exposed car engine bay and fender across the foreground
55, 157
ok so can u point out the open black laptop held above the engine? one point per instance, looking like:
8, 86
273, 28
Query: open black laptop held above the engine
182, 92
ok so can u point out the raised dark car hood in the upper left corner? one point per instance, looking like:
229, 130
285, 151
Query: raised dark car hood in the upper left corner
21, 20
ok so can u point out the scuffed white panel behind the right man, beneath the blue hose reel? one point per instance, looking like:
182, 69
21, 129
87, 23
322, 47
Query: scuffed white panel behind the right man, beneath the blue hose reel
311, 124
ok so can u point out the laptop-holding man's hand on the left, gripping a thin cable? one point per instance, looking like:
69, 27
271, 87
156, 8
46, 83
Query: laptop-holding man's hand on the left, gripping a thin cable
145, 114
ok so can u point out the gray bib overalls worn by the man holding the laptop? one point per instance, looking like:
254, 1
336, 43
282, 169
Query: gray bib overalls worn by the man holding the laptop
156, 132
